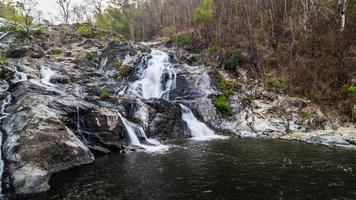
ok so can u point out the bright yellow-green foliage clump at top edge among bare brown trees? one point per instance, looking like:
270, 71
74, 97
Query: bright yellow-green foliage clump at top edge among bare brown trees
204, 12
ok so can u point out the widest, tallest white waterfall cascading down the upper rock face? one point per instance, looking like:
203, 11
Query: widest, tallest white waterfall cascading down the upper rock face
157, 79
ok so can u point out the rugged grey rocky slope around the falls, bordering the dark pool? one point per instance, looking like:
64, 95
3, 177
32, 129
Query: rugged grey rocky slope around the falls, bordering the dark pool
66, 98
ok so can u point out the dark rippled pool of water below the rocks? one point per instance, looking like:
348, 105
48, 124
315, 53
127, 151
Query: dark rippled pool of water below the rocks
222, 169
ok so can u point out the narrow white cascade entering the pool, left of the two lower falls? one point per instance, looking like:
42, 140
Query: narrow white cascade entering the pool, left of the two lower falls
133, 130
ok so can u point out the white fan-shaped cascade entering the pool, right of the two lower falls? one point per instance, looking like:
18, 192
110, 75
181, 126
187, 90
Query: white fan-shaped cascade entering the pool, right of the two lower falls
198, 130
